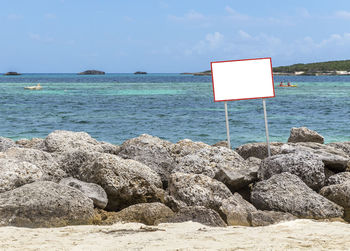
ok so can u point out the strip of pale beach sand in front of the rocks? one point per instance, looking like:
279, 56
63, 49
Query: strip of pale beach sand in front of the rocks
295, 235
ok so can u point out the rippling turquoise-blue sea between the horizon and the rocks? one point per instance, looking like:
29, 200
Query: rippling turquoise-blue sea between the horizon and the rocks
117, 107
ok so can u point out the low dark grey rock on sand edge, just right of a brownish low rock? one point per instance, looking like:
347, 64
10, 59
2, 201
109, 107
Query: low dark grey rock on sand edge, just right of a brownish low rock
198, 214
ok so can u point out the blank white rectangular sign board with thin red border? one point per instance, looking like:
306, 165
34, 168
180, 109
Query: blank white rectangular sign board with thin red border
242, 79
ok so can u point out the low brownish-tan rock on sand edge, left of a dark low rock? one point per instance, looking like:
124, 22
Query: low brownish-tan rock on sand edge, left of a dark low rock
146, 213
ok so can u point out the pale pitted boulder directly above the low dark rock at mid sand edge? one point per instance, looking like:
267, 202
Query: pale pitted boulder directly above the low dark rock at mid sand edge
198, 190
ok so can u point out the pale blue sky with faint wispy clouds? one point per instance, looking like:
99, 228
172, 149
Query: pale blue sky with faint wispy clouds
168, 36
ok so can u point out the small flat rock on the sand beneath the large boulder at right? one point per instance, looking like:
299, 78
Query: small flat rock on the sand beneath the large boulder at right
265, 218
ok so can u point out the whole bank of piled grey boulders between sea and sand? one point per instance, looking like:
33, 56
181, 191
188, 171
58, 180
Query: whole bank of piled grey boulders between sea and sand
69, 178
